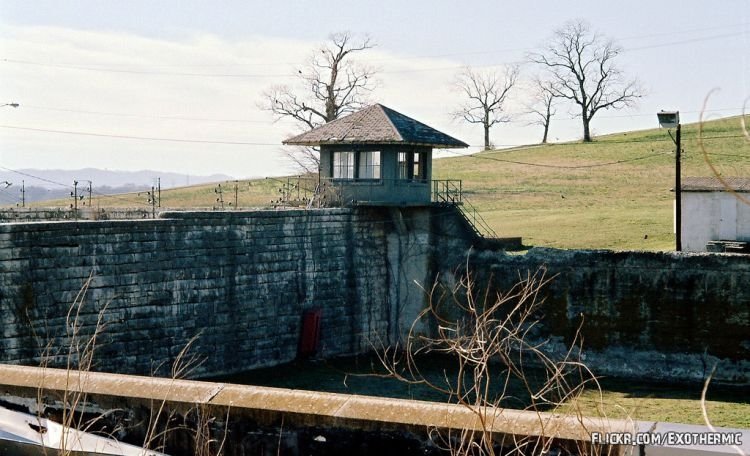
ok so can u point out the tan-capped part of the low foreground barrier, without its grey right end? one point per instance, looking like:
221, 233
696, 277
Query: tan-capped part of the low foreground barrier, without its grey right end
398, 421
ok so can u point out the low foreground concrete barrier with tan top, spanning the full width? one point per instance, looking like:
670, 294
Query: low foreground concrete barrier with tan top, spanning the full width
300, 413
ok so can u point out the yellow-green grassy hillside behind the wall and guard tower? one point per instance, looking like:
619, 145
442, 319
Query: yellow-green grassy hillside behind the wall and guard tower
612, 193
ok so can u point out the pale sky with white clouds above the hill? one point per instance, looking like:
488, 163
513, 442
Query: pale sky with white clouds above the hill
175, 85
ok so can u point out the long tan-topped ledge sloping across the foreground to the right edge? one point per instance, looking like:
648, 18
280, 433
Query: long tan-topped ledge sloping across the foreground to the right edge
22, 385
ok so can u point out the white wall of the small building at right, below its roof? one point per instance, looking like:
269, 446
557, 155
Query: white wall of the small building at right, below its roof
712, 216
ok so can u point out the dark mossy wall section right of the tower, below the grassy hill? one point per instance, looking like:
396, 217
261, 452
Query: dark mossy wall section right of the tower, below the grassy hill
652, 315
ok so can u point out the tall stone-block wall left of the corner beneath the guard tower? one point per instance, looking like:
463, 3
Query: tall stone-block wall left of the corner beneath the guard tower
240, 281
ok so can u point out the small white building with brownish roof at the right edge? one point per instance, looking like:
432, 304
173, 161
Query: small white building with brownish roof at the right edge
714, 211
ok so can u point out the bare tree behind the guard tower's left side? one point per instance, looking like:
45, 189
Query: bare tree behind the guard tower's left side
329, 85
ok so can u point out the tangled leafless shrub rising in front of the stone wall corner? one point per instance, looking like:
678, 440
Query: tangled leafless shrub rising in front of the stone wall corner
491, 341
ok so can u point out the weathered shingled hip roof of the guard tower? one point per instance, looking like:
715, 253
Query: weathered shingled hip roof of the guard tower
376, 124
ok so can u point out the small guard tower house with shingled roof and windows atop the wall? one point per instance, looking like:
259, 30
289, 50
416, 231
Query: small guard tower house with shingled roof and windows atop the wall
380, 157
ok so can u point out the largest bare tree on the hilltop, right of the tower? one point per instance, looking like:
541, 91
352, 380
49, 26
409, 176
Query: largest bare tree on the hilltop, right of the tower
581, 65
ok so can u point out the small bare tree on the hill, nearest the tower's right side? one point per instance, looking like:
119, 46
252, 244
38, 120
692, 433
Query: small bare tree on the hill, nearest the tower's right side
486, 93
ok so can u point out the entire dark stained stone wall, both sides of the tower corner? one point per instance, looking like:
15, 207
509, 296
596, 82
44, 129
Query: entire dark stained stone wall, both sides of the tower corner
240, 282
